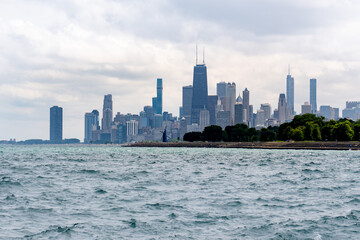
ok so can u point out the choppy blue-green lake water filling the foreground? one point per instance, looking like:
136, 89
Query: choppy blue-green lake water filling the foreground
85, 192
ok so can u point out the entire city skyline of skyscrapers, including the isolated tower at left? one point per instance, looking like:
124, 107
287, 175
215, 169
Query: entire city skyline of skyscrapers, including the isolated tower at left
198, 110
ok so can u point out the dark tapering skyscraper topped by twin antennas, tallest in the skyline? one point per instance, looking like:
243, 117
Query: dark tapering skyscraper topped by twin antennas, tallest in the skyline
200, 92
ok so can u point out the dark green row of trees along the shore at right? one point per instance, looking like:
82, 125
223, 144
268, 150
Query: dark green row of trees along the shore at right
307, 127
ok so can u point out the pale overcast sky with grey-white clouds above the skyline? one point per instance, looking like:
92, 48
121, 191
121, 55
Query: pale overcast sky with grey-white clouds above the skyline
70, 53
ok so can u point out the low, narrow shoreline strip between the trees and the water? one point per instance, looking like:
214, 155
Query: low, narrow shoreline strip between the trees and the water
255, 145
